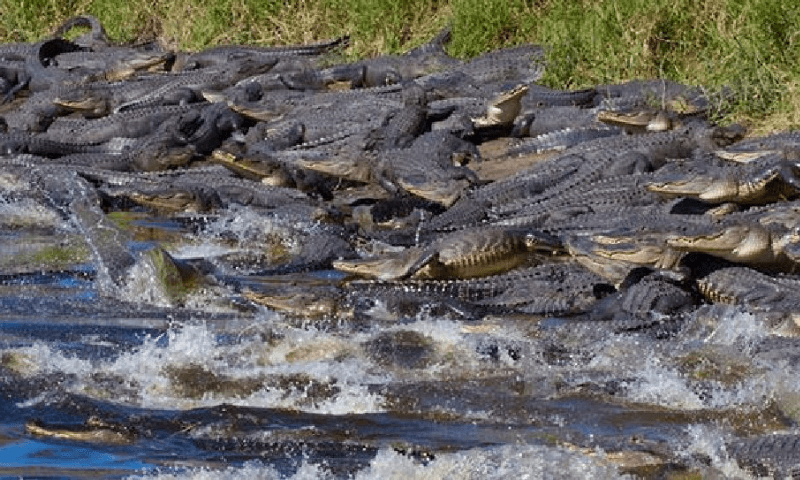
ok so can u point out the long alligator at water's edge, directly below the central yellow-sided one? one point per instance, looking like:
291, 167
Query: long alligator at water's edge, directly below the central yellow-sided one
549, 289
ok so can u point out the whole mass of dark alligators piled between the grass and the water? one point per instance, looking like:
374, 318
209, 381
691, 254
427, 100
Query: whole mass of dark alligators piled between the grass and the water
415, 182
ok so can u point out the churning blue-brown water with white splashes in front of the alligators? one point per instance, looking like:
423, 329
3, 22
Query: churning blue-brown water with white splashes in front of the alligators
127, 385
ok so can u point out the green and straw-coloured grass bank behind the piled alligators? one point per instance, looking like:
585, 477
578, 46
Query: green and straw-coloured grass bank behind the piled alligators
750, 46
